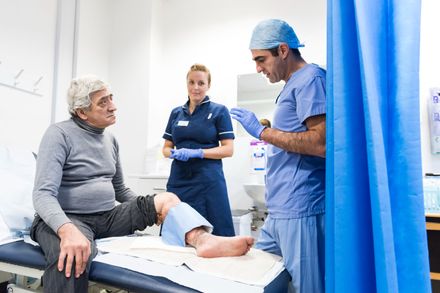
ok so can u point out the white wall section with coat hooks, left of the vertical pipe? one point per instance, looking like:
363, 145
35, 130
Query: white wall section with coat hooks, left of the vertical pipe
27, 34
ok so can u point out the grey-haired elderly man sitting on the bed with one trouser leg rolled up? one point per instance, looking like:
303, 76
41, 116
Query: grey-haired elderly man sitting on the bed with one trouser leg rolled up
78, 179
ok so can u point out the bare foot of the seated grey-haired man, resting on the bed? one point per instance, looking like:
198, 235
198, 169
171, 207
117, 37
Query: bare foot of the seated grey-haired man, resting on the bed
208, 245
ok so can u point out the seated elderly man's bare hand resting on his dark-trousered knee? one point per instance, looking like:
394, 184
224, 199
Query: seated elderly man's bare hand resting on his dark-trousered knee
74, 247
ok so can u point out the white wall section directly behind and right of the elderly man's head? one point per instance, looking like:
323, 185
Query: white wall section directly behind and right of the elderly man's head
114, 43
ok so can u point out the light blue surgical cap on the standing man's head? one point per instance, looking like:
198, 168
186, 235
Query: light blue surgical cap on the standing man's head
271, 33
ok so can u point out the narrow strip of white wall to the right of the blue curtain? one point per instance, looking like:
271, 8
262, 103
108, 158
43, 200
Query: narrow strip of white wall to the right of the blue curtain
429, 77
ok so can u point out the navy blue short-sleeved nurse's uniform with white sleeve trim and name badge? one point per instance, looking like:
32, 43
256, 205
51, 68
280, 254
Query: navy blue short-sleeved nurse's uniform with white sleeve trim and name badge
200, 182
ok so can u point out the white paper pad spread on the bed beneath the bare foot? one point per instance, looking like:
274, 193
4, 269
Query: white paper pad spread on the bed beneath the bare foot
256, 269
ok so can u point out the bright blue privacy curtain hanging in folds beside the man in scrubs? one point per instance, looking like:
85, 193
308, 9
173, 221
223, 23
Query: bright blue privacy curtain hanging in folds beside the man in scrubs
376, 235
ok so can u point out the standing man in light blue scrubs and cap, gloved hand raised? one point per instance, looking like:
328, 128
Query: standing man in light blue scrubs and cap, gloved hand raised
295, 180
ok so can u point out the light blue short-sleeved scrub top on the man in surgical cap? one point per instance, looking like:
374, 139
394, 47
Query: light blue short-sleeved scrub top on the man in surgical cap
295, 183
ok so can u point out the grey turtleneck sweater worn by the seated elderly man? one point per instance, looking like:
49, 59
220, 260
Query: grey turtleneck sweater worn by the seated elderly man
78, 171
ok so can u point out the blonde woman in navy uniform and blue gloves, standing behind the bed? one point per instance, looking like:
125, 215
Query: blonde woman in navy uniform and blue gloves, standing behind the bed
198, 135
